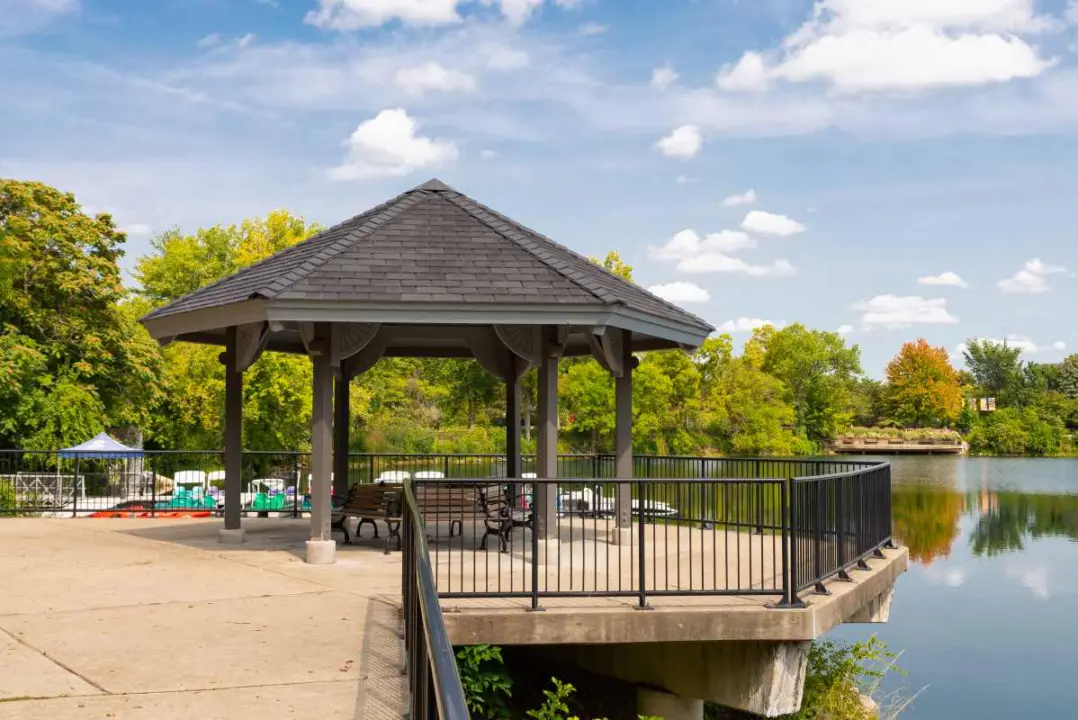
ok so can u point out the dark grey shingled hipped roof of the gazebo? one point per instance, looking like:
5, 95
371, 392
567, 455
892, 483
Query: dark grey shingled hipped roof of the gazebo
429, 257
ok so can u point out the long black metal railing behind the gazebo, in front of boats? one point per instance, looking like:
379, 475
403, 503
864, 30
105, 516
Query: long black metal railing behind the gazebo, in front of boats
279, 482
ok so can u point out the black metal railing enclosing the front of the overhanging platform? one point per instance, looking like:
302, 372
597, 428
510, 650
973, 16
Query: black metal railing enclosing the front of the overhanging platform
767, 535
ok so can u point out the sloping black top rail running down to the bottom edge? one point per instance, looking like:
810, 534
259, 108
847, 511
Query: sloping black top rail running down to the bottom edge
449, 693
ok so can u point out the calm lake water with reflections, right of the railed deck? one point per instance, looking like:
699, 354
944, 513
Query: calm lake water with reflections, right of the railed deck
987, 619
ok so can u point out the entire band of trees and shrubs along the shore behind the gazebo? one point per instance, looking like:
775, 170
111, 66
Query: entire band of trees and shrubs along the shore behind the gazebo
75, 362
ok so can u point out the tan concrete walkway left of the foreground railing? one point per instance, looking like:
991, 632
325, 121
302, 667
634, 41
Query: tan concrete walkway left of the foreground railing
154, 620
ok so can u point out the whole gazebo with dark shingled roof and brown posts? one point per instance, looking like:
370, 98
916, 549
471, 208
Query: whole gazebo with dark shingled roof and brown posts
431, 273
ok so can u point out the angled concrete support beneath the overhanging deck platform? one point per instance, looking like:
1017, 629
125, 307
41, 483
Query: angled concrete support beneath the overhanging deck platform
763, 679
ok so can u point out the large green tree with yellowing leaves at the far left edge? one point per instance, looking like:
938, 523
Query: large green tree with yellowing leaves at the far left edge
73, 359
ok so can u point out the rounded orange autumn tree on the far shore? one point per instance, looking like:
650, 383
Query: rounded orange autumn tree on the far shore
922, 386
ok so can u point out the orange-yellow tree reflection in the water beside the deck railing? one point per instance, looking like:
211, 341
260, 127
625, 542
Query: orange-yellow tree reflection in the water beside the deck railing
927, 520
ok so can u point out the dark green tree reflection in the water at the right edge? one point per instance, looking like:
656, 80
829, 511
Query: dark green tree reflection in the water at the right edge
1012, 518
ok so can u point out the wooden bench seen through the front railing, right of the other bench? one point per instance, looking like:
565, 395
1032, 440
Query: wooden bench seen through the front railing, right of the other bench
460, 504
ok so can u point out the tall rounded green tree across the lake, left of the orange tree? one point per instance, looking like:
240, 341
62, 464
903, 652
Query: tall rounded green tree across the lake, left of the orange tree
818, 370
